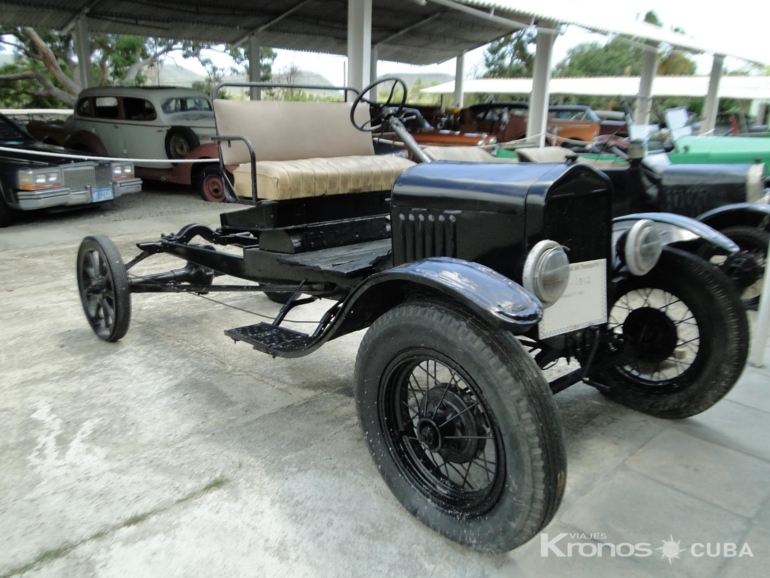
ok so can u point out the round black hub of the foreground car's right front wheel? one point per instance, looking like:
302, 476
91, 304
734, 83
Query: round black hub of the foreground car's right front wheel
652, 334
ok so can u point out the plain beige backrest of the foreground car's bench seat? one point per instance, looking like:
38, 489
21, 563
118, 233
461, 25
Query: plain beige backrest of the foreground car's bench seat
282, 131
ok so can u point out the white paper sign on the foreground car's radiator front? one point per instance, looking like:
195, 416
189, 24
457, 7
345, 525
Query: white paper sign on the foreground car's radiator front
583, 304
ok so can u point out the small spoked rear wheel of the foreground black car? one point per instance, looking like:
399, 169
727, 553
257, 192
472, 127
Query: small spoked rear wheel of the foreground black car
103, 286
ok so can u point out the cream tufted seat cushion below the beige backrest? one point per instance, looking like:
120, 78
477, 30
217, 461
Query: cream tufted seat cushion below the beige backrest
283, 180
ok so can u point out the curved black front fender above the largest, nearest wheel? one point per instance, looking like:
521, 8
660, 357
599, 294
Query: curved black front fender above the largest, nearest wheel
493, 297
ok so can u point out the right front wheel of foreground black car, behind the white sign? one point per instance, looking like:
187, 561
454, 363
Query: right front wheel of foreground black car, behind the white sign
688, 330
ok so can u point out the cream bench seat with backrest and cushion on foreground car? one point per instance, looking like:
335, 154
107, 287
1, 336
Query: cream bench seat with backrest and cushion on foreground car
303, 149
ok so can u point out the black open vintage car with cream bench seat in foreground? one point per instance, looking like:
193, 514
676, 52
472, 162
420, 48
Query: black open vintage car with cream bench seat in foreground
470, 277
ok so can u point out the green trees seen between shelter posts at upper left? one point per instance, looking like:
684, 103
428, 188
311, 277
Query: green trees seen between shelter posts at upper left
45, 70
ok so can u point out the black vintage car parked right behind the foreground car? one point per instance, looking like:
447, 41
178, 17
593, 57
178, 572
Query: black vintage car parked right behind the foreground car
731, 198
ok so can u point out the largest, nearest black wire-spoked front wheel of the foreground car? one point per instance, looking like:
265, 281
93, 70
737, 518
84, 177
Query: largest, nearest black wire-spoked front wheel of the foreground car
515, 420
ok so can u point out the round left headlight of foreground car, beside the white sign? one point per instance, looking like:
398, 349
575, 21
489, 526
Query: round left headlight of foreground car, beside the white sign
546, 272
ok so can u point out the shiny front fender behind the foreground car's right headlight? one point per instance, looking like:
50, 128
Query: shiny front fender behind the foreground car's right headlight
674, 229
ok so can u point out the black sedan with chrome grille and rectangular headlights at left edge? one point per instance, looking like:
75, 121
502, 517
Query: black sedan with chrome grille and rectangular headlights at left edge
34, 176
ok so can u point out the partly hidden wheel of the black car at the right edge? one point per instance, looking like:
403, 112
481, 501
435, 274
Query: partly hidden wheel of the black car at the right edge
747, 268
